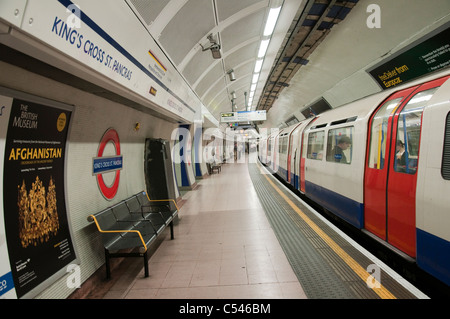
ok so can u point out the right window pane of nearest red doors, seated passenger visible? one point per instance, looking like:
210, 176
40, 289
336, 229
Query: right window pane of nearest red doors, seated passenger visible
408, 133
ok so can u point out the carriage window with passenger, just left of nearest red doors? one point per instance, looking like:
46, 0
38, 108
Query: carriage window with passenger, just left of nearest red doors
339, 145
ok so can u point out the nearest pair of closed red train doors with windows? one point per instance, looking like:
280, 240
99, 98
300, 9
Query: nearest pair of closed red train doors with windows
397, 170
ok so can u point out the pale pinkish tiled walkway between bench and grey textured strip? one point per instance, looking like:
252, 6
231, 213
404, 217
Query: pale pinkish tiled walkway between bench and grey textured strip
224, 247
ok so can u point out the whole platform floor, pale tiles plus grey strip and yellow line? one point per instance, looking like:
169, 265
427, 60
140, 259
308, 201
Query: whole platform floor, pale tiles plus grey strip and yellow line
239, 236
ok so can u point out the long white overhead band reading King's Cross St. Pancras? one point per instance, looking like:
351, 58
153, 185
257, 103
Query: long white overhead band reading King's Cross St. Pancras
85, 41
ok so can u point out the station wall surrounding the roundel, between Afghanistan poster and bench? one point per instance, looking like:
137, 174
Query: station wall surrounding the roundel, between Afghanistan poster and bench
92, 116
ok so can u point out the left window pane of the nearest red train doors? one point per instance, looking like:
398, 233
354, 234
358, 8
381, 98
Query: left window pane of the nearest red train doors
378, 133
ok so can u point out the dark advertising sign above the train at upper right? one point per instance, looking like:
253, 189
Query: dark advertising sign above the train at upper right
428, 54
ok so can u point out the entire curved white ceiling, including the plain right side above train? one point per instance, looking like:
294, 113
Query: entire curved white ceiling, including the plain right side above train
306, 35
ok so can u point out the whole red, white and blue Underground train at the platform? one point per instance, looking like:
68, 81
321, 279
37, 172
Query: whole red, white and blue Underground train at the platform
381, 164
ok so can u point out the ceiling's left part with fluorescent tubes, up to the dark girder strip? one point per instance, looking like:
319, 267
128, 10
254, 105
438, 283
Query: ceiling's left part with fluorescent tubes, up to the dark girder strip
185, 29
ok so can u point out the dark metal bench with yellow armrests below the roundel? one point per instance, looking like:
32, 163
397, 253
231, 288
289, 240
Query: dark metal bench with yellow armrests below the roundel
133, 224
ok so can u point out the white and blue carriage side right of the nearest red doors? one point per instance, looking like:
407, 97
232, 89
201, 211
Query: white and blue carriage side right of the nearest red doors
433, 187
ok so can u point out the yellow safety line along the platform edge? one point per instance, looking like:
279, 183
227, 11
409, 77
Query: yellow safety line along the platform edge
360, 271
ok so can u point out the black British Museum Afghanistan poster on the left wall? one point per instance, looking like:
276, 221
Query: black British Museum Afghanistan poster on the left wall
35, 217
